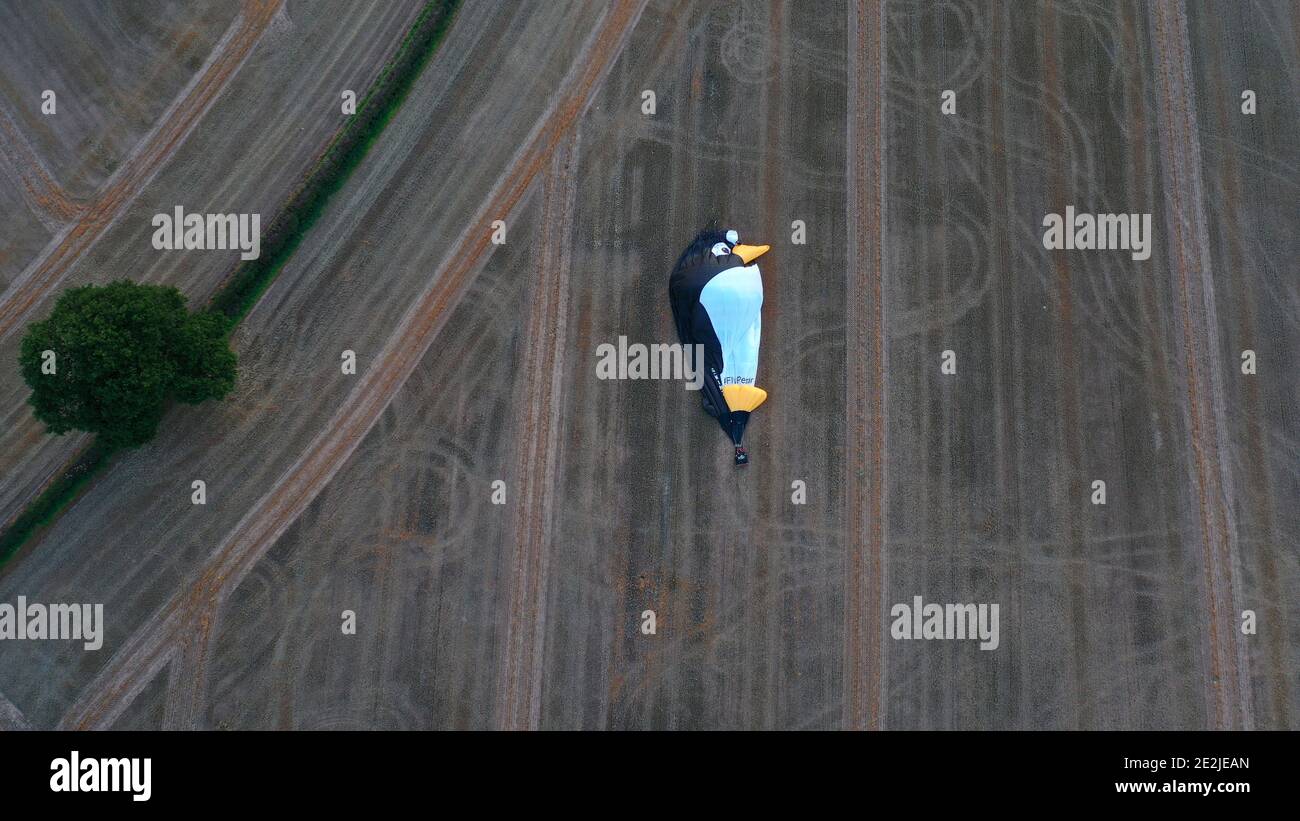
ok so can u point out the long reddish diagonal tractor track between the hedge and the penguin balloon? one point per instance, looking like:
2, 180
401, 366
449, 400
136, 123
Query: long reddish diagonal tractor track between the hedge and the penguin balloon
184, 618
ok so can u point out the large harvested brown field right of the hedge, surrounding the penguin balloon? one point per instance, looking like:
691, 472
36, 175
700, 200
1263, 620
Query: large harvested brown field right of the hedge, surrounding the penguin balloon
372, 494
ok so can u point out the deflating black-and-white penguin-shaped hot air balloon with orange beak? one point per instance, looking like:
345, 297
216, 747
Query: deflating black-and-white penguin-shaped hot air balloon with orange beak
717, 297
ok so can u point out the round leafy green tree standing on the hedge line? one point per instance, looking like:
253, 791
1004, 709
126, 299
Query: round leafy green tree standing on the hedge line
120, 353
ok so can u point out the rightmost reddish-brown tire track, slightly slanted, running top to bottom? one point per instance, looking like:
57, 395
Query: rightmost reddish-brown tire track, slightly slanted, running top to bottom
1228, 701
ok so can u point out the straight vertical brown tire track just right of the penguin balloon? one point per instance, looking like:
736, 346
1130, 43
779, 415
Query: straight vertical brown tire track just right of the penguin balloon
865, 351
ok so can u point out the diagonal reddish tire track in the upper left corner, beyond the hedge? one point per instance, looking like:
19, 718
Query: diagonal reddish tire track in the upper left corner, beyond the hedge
46, 272
